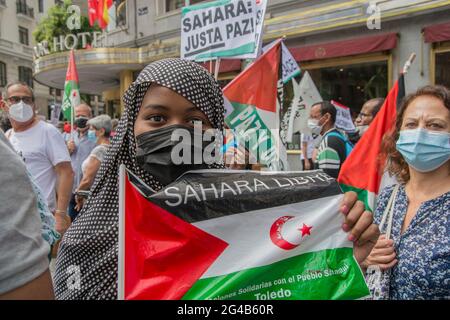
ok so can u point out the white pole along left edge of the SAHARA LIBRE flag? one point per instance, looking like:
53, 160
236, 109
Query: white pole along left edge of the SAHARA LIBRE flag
121, 254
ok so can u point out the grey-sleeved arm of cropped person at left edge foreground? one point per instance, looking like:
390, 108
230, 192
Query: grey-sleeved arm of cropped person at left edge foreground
23, 251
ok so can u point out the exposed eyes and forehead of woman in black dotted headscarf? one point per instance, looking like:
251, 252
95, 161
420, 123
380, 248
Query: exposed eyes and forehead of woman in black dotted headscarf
163, 107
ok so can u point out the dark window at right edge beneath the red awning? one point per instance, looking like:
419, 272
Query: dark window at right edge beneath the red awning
440, 68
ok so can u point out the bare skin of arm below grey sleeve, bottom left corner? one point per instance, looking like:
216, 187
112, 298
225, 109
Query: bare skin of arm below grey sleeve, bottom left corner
40, 288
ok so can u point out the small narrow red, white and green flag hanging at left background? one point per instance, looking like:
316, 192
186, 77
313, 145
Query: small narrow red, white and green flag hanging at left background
71, 89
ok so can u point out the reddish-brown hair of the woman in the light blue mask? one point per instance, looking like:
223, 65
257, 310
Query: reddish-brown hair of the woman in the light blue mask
396, 164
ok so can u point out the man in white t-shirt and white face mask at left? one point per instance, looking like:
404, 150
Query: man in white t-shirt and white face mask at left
42, 148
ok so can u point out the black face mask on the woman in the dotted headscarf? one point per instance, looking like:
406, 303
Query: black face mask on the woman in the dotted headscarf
154, 153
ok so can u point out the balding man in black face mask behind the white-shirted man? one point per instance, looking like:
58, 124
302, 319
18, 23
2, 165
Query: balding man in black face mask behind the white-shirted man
79, 148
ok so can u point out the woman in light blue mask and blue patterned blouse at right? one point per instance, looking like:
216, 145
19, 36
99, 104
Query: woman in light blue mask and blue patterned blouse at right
416, 258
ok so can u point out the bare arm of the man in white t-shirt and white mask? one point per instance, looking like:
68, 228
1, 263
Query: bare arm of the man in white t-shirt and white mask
65, 176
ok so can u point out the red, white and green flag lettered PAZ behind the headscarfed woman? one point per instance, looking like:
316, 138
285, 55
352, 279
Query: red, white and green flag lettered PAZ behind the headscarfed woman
255, 96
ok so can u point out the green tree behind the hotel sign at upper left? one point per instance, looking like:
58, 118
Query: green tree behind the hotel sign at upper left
55, 25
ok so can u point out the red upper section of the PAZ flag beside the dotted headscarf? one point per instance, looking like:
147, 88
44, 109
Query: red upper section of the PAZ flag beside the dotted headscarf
257, 85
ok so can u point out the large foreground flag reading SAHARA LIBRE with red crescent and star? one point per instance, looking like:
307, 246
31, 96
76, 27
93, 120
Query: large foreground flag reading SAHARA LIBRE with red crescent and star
222, 234
